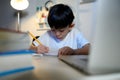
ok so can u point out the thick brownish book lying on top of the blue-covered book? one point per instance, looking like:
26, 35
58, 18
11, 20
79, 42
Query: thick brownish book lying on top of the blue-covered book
14, 40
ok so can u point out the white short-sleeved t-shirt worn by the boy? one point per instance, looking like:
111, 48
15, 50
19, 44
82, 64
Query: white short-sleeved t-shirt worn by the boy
74, 39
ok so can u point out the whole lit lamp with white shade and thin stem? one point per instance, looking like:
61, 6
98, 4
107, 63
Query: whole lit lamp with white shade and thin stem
19, 5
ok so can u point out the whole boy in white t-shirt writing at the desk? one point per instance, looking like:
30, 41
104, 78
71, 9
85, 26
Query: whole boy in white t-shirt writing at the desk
63, 36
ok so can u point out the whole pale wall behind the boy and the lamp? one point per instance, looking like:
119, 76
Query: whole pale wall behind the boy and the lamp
84, 16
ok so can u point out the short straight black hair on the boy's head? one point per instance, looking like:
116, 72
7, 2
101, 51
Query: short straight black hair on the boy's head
60, 16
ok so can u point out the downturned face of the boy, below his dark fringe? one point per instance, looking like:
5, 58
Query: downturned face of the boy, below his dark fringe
61, 33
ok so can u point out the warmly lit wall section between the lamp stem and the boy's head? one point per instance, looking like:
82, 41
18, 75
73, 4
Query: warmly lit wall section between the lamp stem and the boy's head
31, 22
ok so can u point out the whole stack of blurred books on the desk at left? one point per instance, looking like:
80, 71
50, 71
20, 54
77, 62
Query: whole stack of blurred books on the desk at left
15, 55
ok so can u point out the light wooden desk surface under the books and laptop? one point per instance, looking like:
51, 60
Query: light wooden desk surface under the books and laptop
51, 68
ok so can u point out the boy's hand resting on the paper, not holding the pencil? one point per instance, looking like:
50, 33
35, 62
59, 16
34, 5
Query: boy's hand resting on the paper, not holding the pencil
66, 51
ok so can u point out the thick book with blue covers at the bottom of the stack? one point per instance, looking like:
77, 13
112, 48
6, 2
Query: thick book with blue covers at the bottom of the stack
12, 62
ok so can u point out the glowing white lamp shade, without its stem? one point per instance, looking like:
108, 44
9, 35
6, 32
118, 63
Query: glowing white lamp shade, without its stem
19, 4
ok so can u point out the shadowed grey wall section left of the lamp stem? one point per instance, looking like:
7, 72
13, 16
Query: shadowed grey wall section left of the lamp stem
7, 15
